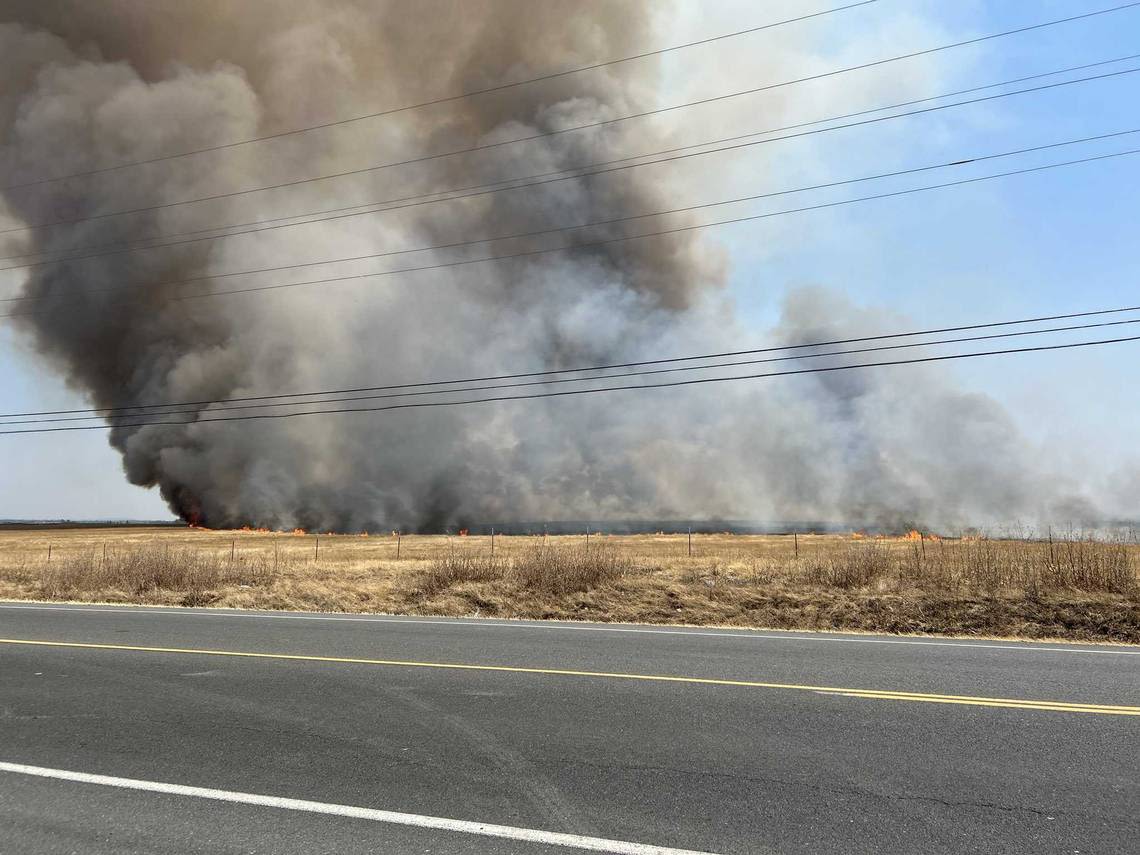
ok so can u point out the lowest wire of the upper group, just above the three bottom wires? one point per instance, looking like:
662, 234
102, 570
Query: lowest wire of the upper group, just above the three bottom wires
661, 233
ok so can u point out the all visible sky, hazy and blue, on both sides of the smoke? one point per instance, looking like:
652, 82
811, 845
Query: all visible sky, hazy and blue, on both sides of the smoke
1054, 242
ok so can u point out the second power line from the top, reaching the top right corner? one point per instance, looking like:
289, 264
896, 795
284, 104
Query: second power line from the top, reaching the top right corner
547, 135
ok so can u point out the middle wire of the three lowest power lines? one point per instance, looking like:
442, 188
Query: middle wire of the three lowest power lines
652, 372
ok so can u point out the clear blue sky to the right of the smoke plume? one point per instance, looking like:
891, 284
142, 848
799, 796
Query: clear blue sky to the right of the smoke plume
1061, 241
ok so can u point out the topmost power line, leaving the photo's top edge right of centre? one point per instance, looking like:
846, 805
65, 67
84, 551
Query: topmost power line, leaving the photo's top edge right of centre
445, 100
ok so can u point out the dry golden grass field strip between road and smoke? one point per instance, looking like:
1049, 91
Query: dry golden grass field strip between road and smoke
1077, 589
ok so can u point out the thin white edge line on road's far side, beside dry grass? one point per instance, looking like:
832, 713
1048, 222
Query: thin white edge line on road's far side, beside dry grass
555, 626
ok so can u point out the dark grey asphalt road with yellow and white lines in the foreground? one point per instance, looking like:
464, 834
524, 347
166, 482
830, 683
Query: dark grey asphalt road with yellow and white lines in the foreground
770, 743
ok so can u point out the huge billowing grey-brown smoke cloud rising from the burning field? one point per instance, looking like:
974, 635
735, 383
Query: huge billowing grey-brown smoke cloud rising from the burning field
94, 85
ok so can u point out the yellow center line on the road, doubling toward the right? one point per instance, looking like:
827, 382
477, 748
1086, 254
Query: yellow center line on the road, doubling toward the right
846, 693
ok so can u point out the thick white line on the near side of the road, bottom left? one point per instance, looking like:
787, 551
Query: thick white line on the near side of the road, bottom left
441, 824
